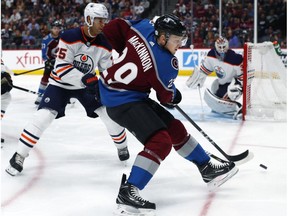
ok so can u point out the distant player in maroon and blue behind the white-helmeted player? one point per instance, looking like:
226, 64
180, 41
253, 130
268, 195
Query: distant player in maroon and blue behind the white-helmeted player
49, 51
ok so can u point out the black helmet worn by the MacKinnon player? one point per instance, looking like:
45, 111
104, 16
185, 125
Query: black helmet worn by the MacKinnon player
170, 24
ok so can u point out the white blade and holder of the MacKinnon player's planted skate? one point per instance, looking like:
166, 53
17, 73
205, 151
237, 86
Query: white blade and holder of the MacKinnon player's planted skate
124, 210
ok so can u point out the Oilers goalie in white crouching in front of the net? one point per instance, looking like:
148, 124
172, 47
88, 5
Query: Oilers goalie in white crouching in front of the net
227, 88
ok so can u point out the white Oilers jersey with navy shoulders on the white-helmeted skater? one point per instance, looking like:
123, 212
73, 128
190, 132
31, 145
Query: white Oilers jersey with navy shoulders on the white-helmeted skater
77, 56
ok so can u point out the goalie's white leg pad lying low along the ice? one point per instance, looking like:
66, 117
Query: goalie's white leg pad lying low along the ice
220, 106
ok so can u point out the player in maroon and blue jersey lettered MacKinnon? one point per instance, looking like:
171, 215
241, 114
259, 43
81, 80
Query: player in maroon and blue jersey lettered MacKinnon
147, 62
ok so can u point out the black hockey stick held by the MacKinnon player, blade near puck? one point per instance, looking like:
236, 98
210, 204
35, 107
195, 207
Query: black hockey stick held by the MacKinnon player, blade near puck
233, 158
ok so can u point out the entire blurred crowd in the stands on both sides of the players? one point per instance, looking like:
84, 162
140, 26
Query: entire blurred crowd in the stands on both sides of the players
25, 22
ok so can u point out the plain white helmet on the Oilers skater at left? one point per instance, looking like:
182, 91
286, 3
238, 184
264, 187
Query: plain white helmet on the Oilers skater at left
95, 10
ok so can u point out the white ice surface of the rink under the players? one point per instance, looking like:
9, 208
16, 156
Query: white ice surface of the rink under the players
74, 169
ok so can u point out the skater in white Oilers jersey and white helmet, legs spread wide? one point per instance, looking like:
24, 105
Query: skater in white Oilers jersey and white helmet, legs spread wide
80, 51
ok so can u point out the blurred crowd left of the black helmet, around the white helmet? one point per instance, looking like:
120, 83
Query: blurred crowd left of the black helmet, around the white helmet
25, 22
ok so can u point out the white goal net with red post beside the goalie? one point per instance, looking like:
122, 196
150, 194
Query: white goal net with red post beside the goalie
264, 83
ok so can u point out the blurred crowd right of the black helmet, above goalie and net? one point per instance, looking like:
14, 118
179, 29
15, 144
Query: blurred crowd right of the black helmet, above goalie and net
237, 21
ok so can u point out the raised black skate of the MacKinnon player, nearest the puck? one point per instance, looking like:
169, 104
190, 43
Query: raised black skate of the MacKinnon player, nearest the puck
217, 174
